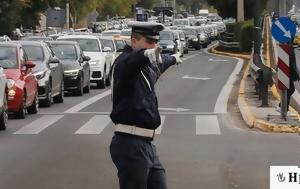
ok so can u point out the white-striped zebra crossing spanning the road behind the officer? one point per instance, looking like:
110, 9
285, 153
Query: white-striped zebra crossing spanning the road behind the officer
95, 125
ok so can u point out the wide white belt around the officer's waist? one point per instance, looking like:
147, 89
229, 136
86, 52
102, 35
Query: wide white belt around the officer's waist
133, 130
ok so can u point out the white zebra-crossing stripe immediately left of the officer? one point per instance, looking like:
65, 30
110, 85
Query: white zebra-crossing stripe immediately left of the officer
95, 125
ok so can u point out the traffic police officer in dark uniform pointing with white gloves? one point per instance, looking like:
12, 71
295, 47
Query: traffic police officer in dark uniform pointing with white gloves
135, 109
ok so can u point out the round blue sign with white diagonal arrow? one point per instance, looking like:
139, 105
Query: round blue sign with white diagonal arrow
283, 30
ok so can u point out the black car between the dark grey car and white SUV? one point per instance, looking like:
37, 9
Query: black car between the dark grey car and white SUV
75, 64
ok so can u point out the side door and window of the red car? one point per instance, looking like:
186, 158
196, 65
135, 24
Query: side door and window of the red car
28, 77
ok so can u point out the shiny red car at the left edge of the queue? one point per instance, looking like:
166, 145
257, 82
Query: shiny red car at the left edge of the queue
22, 86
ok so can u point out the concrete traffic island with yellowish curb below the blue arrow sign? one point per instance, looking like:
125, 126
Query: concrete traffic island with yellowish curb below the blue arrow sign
264, 118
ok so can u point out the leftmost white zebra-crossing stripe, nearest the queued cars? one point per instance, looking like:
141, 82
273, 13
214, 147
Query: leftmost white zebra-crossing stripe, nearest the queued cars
40, 124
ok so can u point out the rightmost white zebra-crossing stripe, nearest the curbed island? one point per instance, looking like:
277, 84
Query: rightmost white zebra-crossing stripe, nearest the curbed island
207, 125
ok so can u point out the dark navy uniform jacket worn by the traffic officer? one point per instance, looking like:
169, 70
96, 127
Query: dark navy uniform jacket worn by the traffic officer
133, 93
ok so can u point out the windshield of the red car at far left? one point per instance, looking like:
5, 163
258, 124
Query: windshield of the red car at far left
8, 57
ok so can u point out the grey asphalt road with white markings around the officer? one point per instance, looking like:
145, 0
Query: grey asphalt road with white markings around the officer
66, 146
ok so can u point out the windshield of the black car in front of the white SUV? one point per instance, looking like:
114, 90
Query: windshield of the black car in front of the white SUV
64, 52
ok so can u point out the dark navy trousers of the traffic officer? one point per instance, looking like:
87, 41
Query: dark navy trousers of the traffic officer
137, 163
